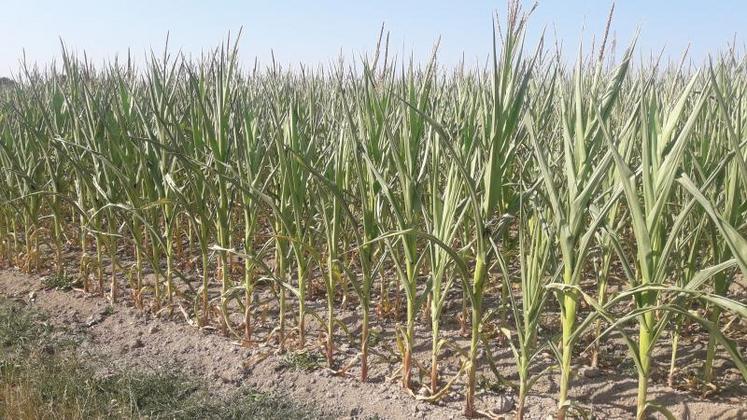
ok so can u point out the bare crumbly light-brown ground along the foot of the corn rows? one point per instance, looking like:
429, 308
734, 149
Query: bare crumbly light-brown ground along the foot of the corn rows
121, 338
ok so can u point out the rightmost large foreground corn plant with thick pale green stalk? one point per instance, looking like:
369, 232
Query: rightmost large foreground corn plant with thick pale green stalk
654, 239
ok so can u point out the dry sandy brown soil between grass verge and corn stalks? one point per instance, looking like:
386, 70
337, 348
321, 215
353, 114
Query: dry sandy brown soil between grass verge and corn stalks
129, 338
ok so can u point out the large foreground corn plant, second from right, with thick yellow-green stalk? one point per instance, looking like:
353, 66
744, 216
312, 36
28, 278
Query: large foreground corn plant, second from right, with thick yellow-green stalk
584, 166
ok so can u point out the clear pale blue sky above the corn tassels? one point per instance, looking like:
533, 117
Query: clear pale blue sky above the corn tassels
314, 32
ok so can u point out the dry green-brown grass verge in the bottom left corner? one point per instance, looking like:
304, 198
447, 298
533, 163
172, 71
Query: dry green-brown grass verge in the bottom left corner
39, 379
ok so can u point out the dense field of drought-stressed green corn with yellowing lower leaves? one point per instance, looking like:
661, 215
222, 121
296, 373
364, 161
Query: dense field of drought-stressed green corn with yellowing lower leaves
606, 197
